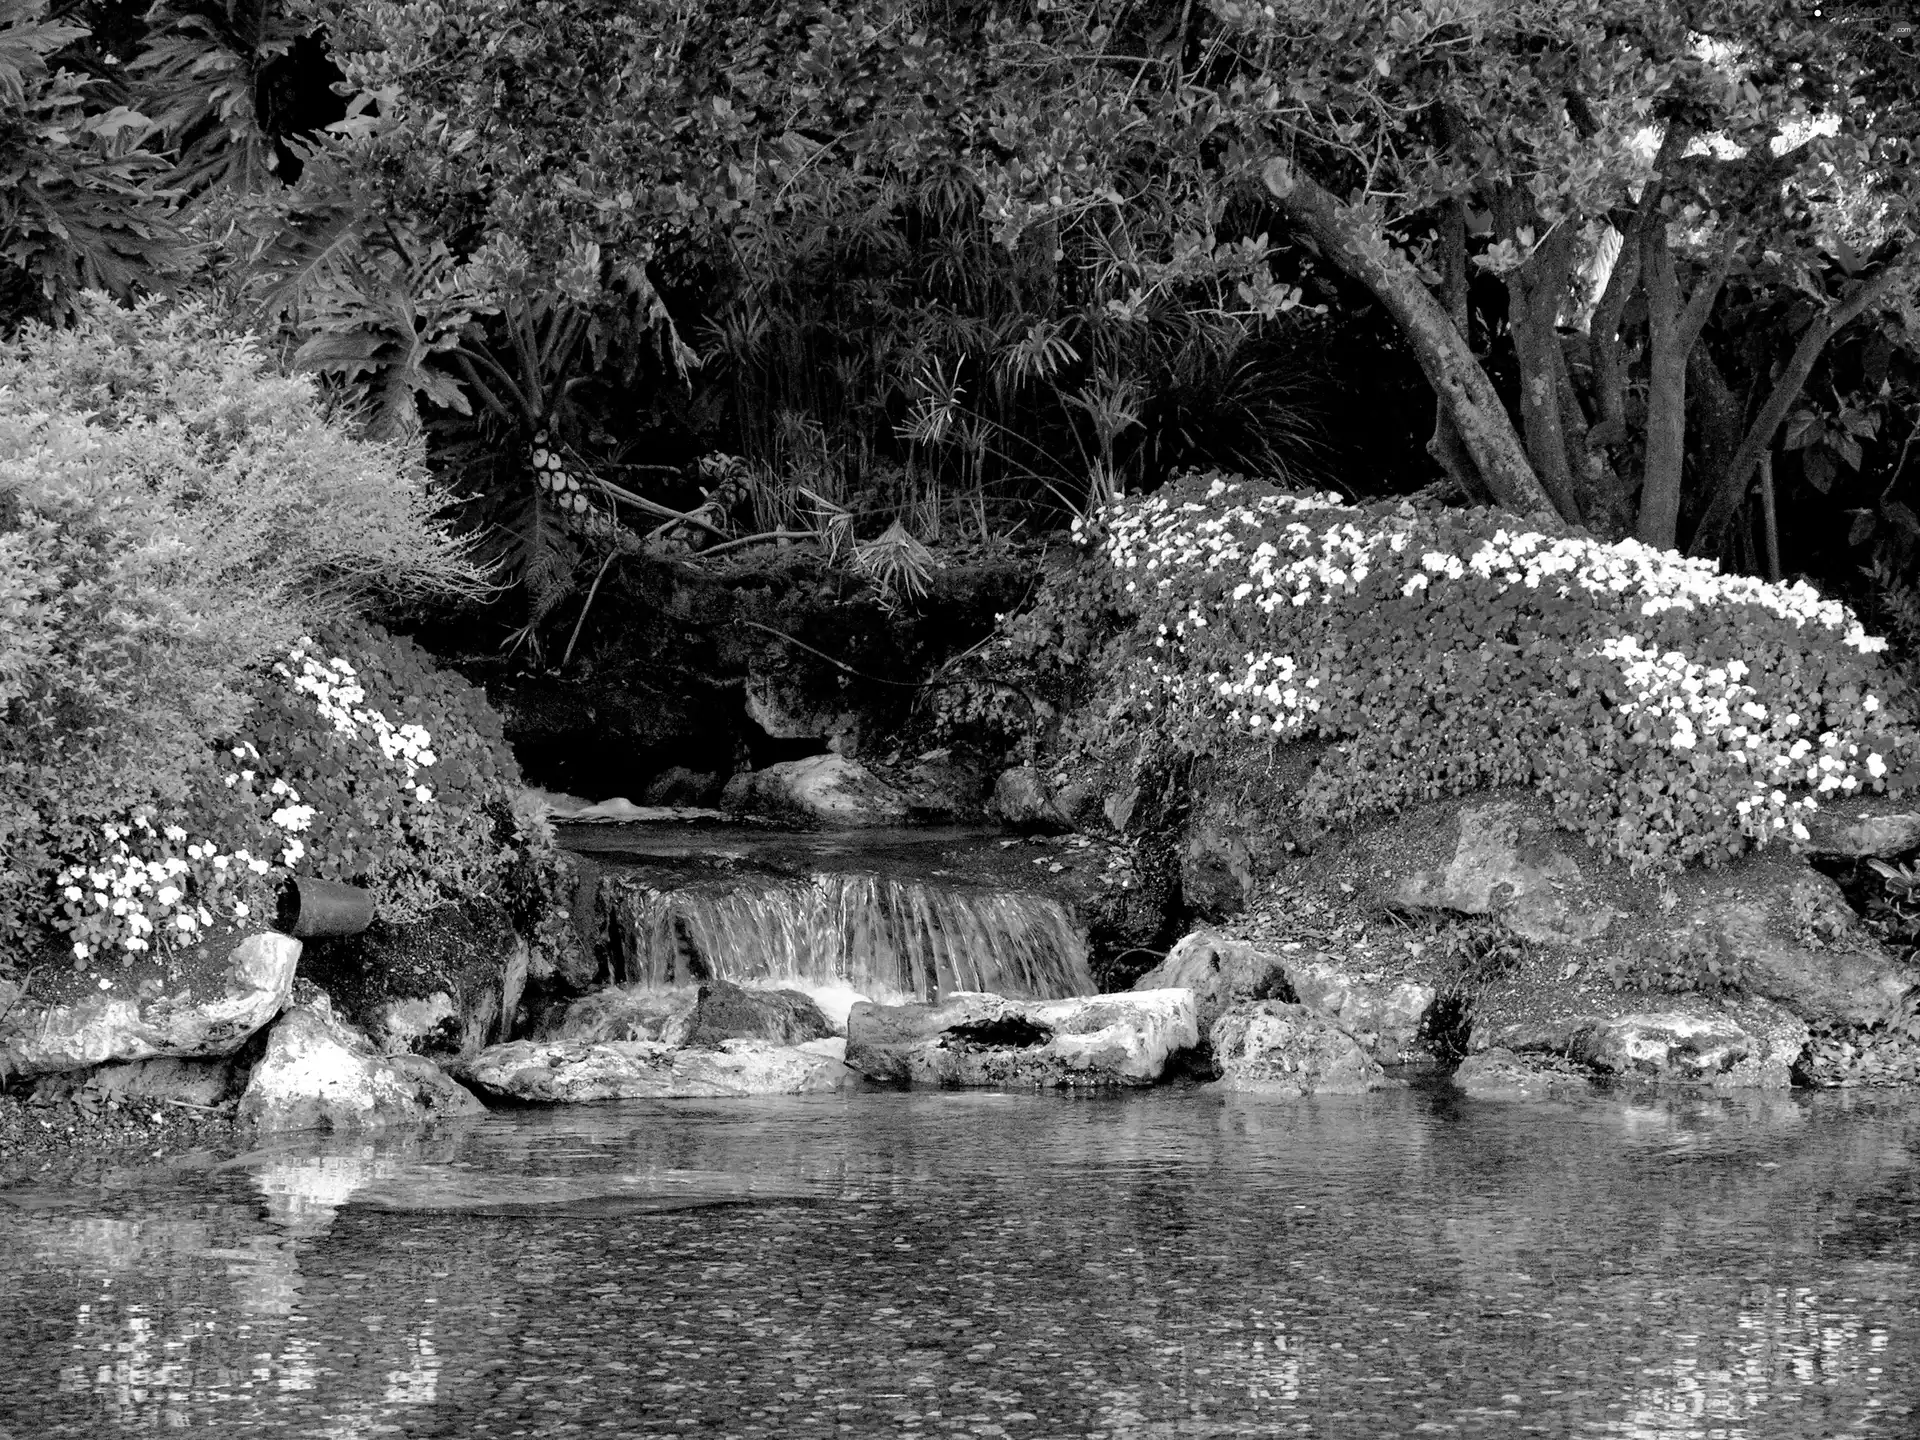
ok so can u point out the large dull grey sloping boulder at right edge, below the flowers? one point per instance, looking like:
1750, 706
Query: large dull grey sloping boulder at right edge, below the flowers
1796, 940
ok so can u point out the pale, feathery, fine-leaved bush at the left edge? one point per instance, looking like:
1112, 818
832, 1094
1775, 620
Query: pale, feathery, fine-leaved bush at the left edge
172, 516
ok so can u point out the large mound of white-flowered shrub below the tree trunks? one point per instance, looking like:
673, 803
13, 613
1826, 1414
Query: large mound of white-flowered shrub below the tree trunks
1671, 713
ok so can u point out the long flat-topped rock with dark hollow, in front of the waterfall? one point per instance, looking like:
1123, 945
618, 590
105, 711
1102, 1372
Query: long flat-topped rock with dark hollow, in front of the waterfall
988, 1040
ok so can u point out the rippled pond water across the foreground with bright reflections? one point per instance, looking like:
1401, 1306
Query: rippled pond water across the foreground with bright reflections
884, 1264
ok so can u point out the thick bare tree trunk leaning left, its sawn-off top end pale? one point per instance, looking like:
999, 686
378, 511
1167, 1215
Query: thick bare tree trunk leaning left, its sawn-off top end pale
1452, 370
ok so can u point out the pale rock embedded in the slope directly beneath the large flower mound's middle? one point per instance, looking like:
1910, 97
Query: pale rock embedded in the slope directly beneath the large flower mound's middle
1510, 861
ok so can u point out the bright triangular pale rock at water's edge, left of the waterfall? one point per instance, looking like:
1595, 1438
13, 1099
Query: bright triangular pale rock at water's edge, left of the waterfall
322, 1074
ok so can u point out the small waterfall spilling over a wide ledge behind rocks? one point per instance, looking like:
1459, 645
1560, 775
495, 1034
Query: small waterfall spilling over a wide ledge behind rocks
888, 940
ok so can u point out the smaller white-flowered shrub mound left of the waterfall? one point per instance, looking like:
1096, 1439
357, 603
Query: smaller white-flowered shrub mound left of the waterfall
381, 771
